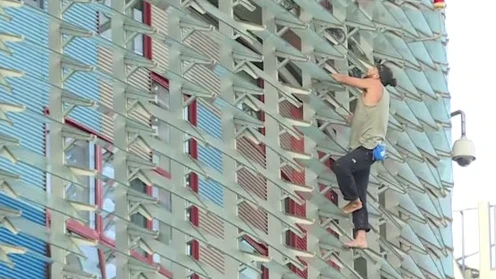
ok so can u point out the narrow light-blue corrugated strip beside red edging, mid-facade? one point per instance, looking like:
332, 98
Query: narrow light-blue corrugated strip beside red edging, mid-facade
211, 123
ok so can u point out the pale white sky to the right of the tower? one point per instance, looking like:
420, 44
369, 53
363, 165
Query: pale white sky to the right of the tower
472, 57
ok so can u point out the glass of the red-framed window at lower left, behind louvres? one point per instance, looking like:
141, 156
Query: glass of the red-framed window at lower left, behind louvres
81, 154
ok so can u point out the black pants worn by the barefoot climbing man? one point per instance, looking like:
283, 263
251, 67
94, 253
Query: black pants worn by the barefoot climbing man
352, 172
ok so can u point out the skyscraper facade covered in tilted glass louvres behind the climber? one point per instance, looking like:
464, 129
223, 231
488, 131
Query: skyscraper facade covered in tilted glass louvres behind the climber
194, 139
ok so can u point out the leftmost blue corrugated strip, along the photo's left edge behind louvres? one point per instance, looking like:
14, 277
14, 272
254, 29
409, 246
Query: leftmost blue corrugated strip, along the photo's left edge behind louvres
32, 92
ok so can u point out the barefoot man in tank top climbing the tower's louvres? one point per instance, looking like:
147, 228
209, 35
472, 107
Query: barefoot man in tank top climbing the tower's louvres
368, 131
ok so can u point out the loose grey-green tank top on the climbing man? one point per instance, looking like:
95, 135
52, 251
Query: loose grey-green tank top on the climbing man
369, 124
